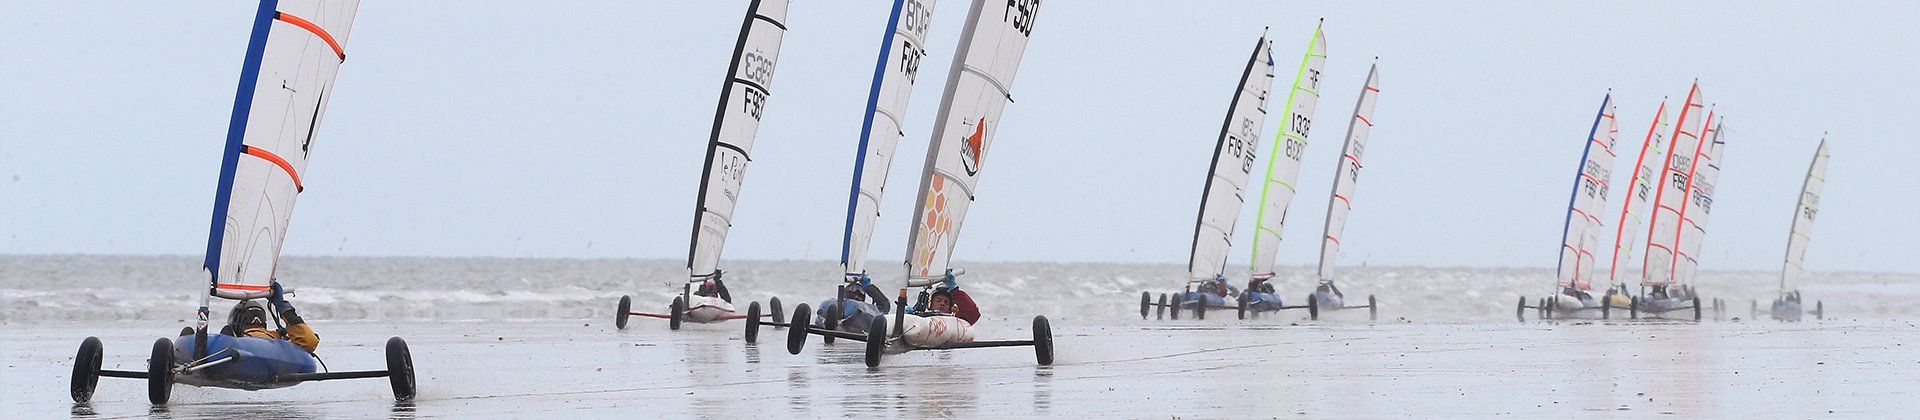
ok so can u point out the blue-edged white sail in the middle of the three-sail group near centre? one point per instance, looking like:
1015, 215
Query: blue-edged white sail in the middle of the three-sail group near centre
886, 108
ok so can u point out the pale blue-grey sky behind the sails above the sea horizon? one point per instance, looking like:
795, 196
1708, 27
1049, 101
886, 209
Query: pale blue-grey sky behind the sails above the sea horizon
577, 129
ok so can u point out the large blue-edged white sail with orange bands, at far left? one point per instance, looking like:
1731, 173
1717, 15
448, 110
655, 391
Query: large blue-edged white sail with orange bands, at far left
289, 74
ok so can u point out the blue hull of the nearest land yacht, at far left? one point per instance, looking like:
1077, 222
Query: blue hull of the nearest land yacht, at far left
256, 369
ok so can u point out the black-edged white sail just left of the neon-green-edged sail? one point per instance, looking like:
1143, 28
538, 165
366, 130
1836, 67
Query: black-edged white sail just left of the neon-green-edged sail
1234, 166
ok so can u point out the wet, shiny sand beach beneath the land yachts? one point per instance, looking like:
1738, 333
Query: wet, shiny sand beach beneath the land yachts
1195, 369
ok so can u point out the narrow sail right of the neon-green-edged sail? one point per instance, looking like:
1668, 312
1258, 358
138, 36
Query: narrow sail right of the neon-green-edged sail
1349, 172
